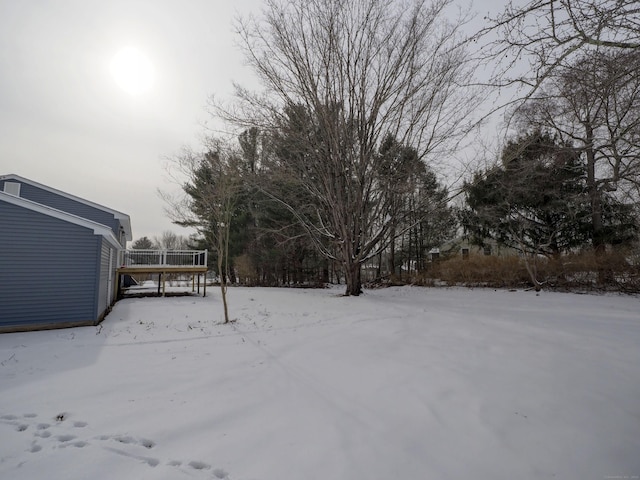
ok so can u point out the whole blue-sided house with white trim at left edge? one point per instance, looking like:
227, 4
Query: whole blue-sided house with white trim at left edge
58, 257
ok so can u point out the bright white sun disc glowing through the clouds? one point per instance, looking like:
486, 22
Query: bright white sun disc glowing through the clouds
133, 71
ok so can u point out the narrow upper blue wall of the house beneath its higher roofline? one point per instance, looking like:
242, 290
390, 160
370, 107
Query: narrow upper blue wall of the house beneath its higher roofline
68, 205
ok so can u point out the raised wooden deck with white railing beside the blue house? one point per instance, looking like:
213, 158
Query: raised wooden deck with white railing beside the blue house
162, 263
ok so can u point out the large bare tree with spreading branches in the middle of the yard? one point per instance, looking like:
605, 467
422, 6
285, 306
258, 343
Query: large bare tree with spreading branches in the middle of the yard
339, 76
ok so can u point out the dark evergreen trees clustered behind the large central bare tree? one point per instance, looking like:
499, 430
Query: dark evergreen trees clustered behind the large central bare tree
252, 215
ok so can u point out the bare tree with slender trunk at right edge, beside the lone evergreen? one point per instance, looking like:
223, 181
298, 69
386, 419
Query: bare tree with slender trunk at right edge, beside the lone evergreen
594, 104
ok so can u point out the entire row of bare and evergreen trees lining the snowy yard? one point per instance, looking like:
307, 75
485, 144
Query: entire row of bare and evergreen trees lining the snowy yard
335, 163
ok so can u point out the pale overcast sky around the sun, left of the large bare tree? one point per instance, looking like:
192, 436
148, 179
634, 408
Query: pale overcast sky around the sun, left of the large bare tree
66, 123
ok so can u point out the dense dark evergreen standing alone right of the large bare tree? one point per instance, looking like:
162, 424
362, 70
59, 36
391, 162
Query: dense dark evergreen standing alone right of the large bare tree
533, 201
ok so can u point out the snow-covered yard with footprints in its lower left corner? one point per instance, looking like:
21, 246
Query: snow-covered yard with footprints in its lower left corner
400, 383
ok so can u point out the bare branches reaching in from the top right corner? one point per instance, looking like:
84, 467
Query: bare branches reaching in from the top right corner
529, 43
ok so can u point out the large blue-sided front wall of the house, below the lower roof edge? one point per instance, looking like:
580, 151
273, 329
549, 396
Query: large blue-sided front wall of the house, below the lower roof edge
48, 271
